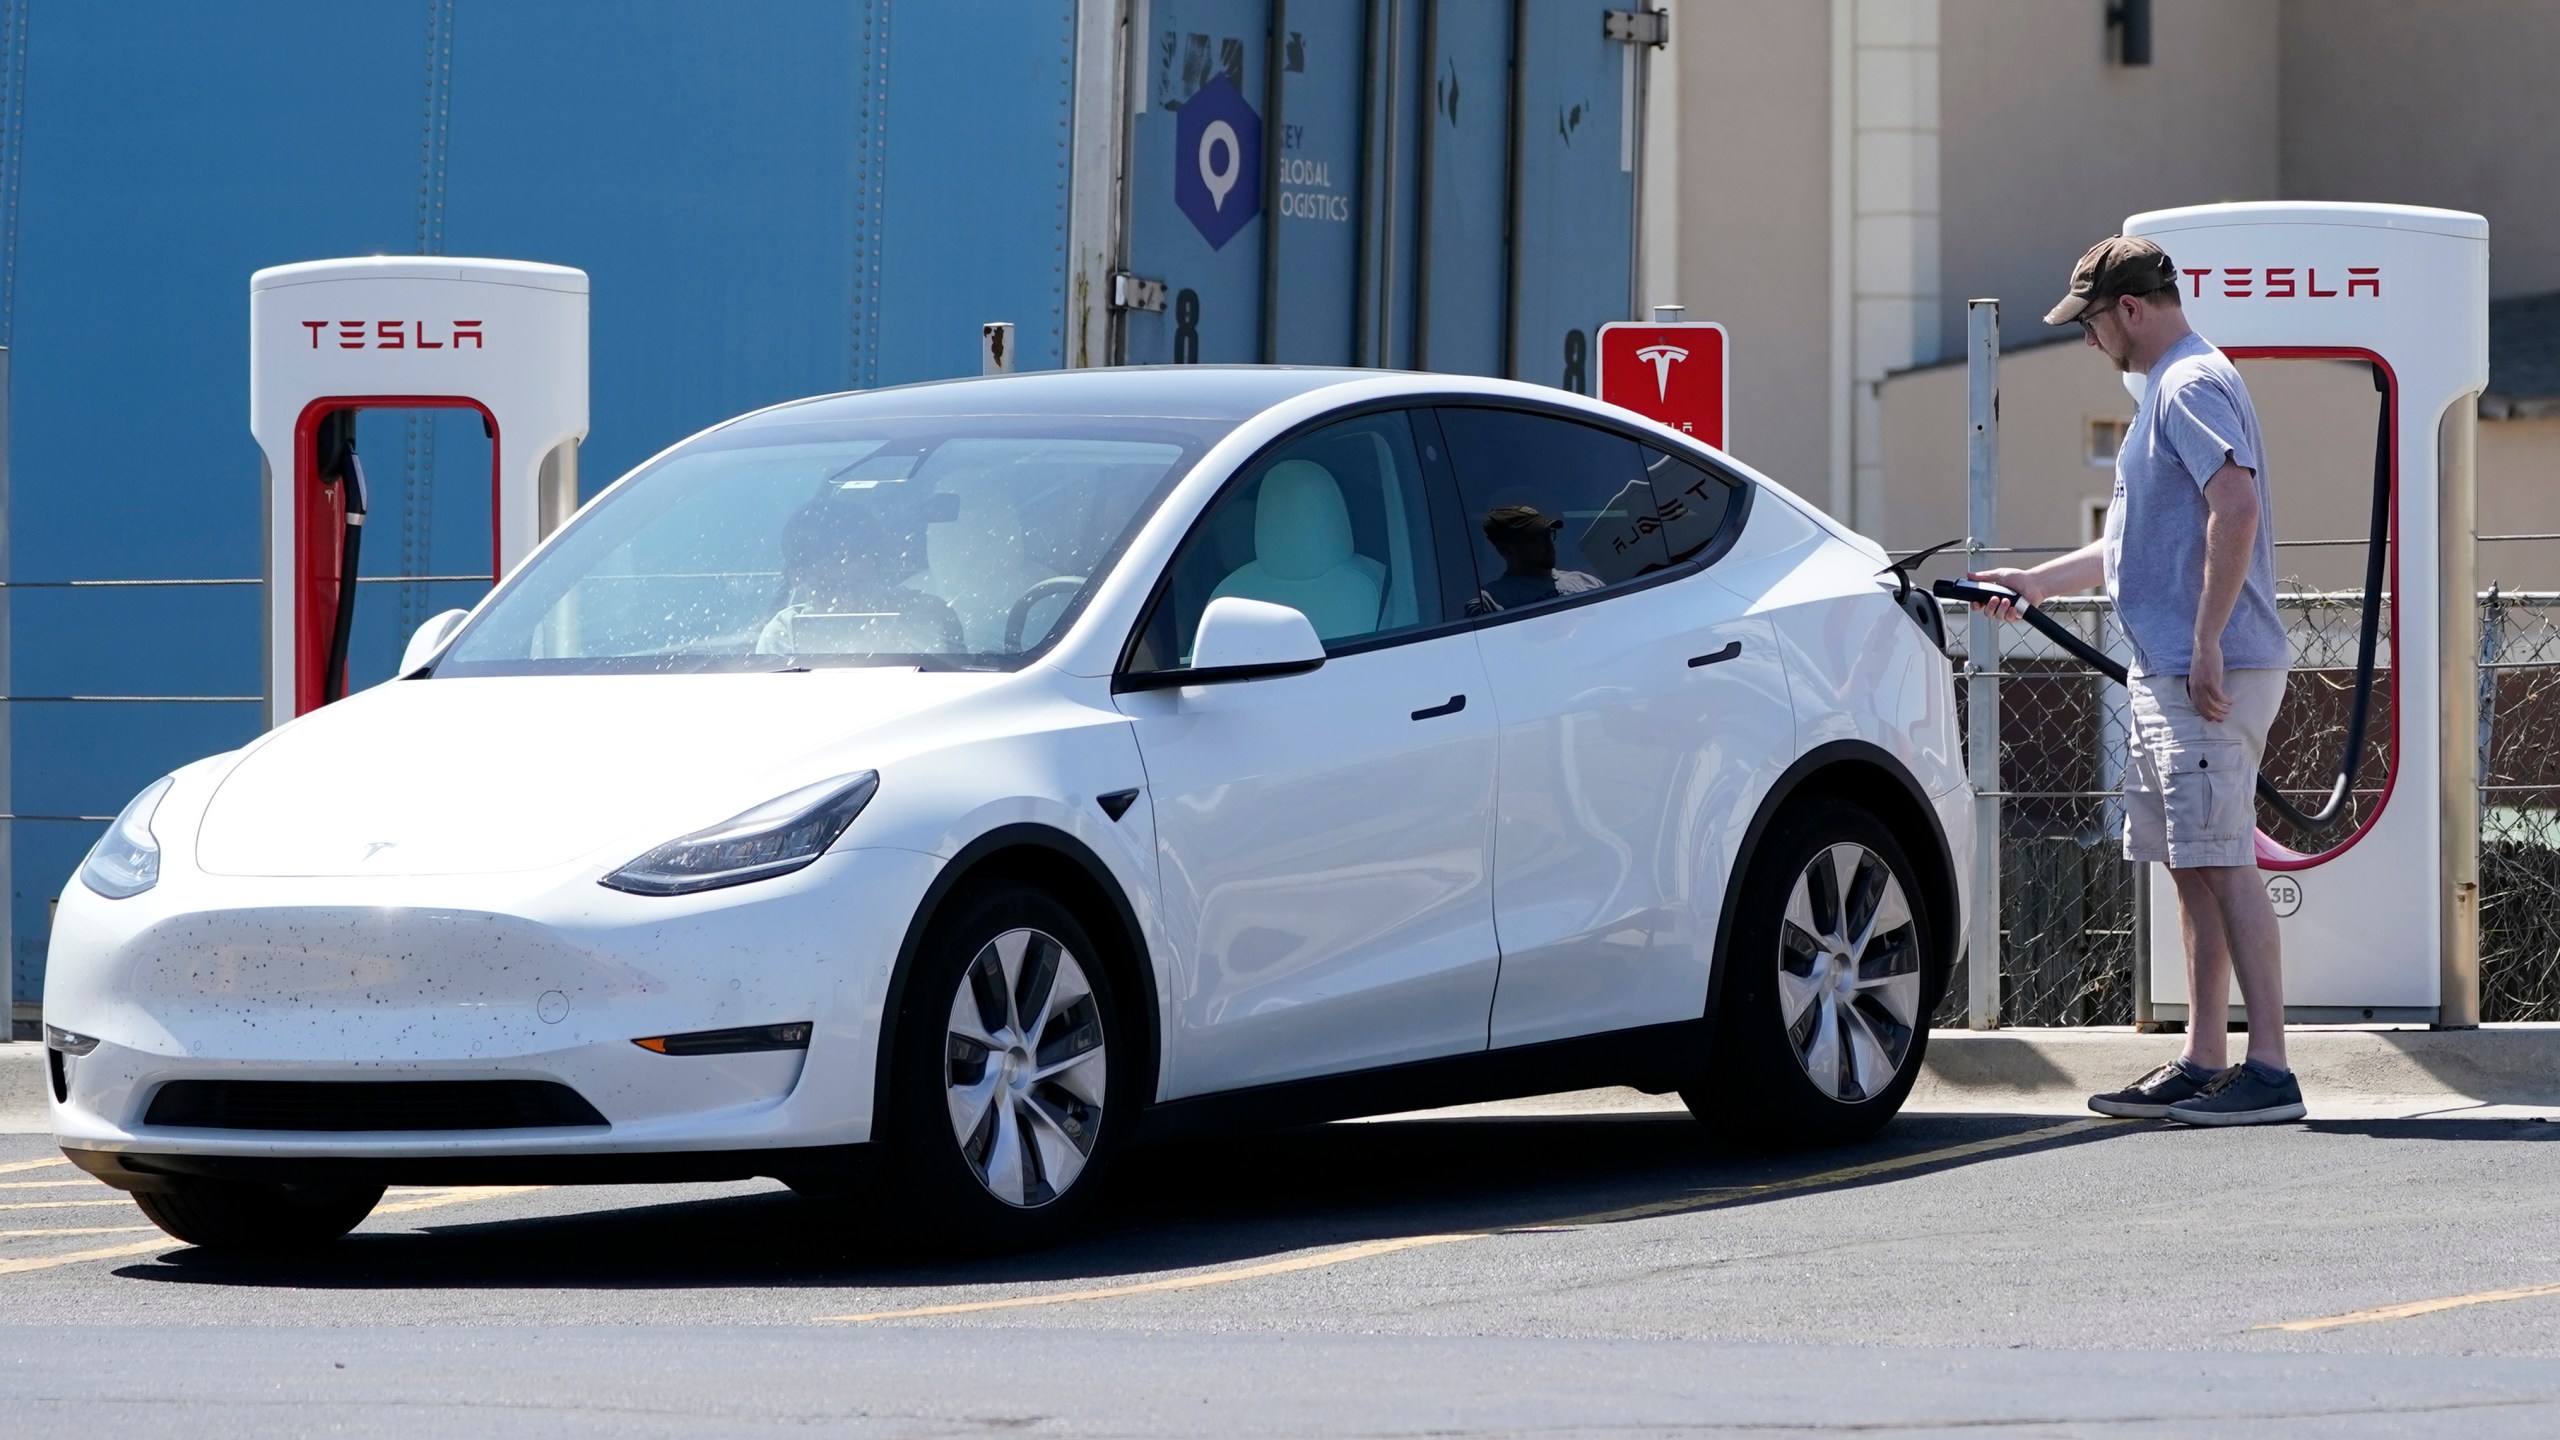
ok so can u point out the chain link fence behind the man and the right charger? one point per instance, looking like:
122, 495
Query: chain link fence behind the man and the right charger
2067, 893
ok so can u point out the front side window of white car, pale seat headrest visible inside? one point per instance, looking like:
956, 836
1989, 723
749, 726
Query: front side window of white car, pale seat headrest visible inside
1332, 524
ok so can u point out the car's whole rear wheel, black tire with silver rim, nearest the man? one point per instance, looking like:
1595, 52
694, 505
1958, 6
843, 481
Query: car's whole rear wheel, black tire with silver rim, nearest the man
1829, 983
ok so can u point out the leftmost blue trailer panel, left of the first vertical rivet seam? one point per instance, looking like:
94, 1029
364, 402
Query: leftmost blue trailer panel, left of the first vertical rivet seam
165, 158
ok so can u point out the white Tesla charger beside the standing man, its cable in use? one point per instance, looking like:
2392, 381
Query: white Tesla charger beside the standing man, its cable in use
2382, 921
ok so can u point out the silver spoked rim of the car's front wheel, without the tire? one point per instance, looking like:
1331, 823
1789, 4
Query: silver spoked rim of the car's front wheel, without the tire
1025, 1067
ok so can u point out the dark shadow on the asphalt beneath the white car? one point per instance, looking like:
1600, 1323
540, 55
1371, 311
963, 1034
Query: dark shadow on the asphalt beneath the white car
1171, 1208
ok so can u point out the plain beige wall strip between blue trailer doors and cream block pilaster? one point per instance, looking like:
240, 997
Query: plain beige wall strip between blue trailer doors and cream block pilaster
1755, 234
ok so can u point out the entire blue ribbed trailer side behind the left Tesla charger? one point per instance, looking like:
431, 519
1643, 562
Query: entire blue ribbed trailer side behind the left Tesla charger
726, 176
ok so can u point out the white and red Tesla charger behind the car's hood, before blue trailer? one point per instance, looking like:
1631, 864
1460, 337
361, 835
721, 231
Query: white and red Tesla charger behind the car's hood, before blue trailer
403, 334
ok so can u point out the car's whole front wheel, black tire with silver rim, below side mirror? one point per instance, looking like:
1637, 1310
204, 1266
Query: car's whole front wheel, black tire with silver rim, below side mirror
1010, 1077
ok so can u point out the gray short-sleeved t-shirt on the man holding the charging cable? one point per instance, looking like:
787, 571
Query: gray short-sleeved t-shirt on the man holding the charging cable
2193, 421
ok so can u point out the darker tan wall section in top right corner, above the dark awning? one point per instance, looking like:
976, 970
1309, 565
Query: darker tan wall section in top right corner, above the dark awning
2431, 104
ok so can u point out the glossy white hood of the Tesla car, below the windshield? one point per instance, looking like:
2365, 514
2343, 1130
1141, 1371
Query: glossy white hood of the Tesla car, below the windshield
531, 773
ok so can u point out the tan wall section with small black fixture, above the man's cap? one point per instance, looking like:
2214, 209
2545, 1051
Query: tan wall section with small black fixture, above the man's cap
2047, 145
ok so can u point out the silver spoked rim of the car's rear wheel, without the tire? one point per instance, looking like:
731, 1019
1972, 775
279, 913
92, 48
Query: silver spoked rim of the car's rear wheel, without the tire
1850, 972
